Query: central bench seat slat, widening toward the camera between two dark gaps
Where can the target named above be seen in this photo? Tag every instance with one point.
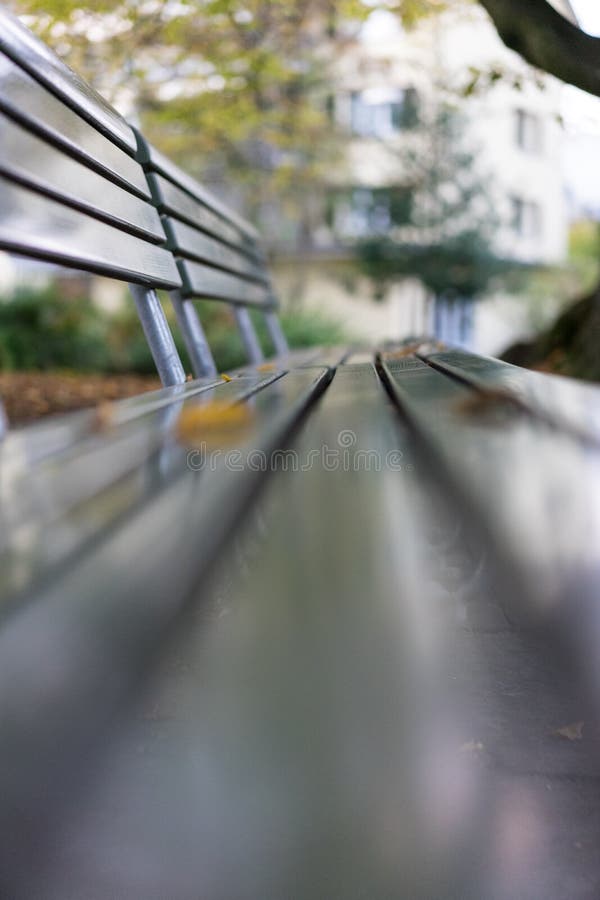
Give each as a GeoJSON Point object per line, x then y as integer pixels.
{"type": "Point", "coordinates": [340, 671]}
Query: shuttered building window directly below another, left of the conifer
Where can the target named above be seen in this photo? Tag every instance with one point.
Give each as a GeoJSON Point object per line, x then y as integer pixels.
{"type": "Point", "coordinates": [369, 212]}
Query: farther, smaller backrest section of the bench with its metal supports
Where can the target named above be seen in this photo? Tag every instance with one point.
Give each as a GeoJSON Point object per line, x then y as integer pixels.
{"type": "Point", "coordinates": [218, 253]}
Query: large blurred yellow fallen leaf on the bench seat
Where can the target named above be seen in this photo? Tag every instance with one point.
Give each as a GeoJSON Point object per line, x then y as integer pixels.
{"type": "Point", "coordinates": [212, 423]}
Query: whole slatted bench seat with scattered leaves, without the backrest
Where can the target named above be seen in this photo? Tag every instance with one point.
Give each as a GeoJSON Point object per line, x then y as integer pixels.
{"type": "Point", "coordinates": [364, 613]}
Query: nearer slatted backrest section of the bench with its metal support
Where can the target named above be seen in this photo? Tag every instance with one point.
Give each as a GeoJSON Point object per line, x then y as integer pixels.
{"type": "Point", "coordinates": [71, 189]}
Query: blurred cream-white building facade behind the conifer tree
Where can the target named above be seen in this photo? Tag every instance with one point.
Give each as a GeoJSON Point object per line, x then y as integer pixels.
{"type": "Point", "coordinates": [512, 123]}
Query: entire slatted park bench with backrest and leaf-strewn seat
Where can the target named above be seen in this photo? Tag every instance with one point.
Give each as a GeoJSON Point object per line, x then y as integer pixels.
{"type": "Point", "coordinates": [325, 628]}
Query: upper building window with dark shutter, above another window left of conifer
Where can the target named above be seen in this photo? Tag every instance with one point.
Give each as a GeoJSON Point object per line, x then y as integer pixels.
{"type": "Point", "coordinates": [383, 112]}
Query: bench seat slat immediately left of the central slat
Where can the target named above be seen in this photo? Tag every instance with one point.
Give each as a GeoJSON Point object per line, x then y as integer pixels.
{"type": "Point", "coordinates": [98, 627]}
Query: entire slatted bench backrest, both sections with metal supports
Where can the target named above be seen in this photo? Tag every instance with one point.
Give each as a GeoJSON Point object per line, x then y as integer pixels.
{"type": "Point", "coordinates": [80, 188]}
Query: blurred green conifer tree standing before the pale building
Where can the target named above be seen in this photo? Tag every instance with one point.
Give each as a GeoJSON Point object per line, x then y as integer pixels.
{"type": "Point", "coordinates": [446, 239]}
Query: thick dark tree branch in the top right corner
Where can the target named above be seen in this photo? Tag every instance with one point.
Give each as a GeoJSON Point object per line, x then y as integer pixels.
{"type": "Point", "coordinates": [547, 40]}
